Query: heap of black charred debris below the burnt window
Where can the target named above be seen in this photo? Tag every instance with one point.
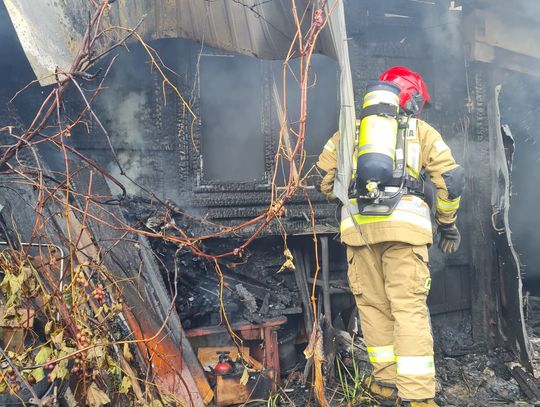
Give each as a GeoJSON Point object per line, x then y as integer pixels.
{"type": "Point", "coordinates": [253, 290]}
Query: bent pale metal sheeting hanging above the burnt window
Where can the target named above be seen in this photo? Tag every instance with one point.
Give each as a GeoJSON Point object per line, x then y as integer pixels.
{"type": "Point", "coordinates": [252, 27]}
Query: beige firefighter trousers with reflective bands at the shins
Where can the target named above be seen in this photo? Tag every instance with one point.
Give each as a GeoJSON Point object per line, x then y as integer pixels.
{"type": "Point", "coordinates": [390, 282]}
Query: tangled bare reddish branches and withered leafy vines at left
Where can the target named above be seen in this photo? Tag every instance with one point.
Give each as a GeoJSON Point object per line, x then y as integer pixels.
{"type": "Point", "coordinates": [74, 292]}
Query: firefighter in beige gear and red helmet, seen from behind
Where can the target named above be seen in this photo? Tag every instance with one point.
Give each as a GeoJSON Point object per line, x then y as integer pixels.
{"type": "Point", "coordinates": [387, 230]}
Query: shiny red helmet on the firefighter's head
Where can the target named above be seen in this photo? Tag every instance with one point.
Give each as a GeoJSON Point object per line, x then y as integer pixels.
{"type": "Point", "coordinates": [414, 94]}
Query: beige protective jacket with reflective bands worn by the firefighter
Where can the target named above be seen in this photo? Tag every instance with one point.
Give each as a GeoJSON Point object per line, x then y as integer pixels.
{"type": "Point", "coordinates": [410, 221]}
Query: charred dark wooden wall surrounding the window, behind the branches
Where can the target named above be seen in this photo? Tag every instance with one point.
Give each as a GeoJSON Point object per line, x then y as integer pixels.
{"type": "Point", "coordinates": [162, 146]}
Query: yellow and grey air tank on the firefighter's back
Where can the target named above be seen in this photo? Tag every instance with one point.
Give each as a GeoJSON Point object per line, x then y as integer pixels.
{"type": "Point", "coordinates": [378, 133]}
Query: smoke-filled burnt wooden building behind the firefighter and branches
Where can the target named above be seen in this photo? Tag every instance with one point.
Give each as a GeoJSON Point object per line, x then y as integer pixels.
{"type": "Point", "coordinates": [205, 152]}
